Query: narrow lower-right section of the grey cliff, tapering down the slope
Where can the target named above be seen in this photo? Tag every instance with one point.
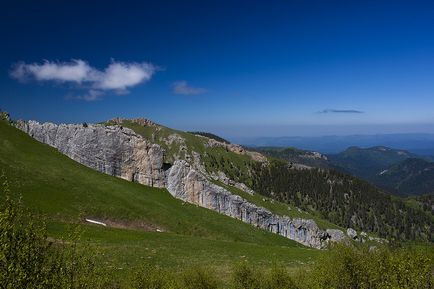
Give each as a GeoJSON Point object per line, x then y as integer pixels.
{"type": "Point", "coordinates": [187, 184]}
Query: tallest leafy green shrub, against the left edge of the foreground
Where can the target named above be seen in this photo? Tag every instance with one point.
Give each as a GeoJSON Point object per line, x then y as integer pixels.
{"type": "Point", "coordinates": [24, 253]}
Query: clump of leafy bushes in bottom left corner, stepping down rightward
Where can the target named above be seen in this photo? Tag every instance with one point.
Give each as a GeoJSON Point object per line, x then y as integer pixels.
{"type": "Point", "coordinates": [29, 260]}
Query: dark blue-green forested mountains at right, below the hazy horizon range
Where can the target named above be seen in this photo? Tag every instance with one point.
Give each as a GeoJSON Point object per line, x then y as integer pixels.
{"type": "Point", "coordinates": [397, 171]}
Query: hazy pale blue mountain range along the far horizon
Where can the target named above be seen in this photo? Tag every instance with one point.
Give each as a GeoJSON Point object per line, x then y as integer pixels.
{"type": "Point", "coordinates": [420, 144]}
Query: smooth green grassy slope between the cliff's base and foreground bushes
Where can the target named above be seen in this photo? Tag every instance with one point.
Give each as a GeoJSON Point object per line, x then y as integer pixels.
{"type": "Point", "coordinates": [66, 191]}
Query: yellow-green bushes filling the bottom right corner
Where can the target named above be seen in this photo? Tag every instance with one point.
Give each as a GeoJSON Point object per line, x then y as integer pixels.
{"type": "Point", "coordinates": [364, 267]}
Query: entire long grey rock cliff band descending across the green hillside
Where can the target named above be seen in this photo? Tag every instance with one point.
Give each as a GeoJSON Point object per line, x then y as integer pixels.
{"type": "Point", "coordinates": [121, 152]}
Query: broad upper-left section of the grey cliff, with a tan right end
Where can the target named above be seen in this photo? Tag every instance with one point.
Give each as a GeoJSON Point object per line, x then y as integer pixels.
{"type": "Point", "coordinates": [113, 150]}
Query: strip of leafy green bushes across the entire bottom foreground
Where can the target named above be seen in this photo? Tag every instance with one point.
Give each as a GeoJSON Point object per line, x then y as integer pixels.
{"type": "Point", "coordinates": [28, 259]}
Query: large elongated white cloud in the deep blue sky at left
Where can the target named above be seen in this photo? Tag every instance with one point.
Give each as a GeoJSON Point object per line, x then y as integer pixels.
{"type": "Point", "coordinates": [117, 77]}
